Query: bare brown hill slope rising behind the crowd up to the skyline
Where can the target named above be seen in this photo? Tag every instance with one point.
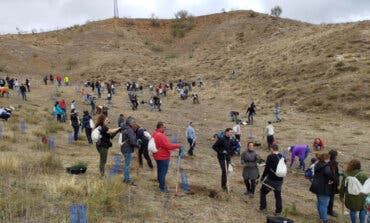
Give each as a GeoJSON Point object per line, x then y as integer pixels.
{"type": "Point", "coordinates": [324, 67]}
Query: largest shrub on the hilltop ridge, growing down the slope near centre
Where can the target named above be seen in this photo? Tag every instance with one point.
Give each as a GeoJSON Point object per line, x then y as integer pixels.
{"type": "Point", "coordinates": [183, 23]}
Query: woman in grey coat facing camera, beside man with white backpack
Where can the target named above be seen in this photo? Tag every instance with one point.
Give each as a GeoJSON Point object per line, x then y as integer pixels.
{"type": "Point", "coordinates": [249, 160]}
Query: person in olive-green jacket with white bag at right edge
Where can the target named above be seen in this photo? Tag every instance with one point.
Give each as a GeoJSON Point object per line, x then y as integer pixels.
{"type": "Point", "coordinates": [354, 203]}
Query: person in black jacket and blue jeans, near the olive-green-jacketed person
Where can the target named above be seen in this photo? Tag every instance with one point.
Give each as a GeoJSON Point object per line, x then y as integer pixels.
{"type": "Point", "coordinates": [322, 185]}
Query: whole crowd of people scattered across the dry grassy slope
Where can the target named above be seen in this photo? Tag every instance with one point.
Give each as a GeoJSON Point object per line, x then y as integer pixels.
{"type": "Point", "coordinates": [325, 176]}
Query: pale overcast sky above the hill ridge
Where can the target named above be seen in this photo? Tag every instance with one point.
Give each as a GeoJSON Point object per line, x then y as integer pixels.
{"type": "Point", "coordinates": [52, 14]}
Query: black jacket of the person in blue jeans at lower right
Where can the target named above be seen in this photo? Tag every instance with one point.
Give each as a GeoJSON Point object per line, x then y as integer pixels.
{"type": "Point", "coordinates": [322, 183]}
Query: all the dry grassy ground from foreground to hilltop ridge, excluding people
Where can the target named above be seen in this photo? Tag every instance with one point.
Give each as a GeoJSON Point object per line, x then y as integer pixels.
{"type": "Point", "coordinates": [319, 74]}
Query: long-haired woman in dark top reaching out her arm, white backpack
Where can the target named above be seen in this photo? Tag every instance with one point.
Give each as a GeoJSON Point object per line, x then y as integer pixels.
{"type": "Point", "coordinates": [104, 143]}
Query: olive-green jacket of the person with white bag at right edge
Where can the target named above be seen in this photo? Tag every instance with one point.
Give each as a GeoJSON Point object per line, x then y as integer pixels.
{"type": "Point", "coordinates": [353, 202]}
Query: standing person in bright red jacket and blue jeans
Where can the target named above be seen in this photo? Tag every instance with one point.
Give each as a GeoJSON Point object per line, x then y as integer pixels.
{"type": "Point", "coordinates": [162, 157]}
